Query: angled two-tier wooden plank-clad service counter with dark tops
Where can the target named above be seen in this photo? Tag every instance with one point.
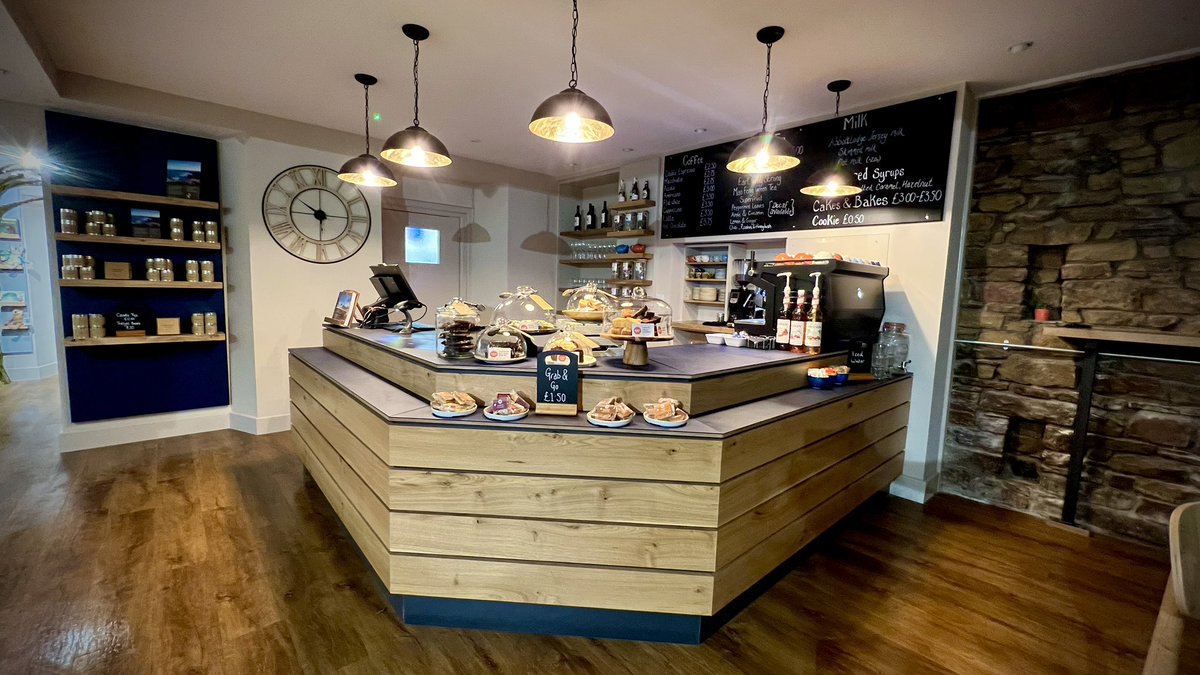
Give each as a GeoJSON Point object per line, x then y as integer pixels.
{"type": "Point", "coordinates": [550, 524]}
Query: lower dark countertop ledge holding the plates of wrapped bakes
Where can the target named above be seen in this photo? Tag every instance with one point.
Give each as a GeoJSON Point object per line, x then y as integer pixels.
{"type": "Point", "coordinates": [400, 408]}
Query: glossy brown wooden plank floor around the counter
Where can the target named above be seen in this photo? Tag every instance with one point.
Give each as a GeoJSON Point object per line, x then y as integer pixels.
{"type": "Point", "coordinates": [211, 554]}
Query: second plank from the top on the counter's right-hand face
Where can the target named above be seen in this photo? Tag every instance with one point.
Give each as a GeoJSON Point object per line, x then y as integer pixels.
{"type": "Point", "coordinates": [755, 487]}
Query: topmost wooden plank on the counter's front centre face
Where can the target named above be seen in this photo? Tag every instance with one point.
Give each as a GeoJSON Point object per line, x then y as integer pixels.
{"type": "Point", "coordinates": [595, 455]}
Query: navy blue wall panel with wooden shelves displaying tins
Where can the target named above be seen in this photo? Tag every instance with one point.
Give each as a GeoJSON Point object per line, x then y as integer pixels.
{"type": "Point", "coordinates": [121, 169]}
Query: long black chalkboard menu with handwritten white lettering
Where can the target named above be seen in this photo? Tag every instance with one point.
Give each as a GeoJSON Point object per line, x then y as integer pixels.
{"type": "Point", "coordinates": [899, 156]}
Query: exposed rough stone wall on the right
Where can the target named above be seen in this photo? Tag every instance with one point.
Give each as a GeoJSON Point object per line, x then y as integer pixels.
{"type": "Point", "coordinates": [1087, 201]}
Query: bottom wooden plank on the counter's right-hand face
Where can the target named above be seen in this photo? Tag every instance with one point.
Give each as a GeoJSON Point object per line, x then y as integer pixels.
{"type": "Point", "coordinates": [742, 574]}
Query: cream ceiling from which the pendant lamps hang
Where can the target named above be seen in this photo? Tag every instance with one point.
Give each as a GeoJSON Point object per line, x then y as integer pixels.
{"type": "Point", "coordinates": [673, 74]}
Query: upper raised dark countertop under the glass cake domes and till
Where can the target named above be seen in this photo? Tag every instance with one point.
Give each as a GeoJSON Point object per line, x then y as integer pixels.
{"type": "Point", "coordinates": [673, 362]}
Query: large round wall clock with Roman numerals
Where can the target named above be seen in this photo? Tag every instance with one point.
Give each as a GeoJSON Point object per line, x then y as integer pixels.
{"type": "Point", "coordinates": [316, 217]}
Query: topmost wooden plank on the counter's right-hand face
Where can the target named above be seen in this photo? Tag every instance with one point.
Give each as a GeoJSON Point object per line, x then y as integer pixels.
{"type": "Point", "coordinates": [765, 444]}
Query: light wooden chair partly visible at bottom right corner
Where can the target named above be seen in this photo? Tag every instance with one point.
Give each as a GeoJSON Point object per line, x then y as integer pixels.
{"type": "Point", "coordinates": [1183, 595]}
